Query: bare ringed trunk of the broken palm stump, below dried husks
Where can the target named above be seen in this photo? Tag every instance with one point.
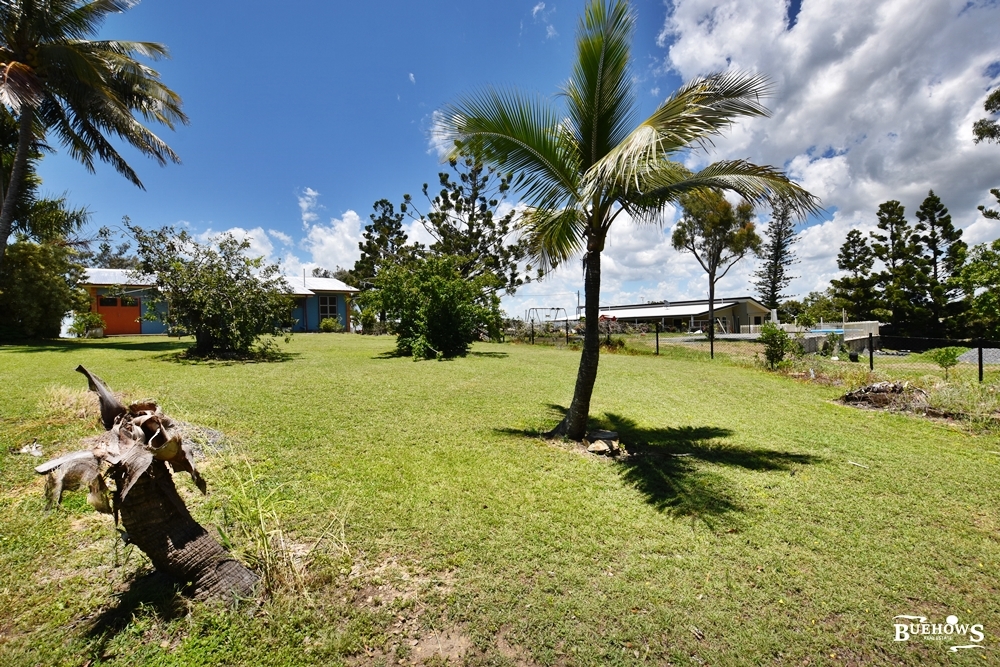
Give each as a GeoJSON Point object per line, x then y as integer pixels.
{"type": "Point", "coordinates": [158, 522]}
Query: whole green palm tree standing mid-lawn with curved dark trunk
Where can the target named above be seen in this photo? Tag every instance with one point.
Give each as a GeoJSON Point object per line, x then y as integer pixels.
{"type": "Point", "coordinates": [581, 167]}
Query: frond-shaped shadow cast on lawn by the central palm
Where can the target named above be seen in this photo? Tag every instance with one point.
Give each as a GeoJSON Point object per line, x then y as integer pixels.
{"type": "Point", "coordinates": [663, 464]}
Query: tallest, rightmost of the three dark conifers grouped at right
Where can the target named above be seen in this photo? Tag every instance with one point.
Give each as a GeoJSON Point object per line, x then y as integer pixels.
{"type": "Point", "coordinates": [944, 254]}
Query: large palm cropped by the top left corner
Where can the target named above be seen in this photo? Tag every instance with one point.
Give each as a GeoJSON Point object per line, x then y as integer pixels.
{"type": "Point", "coordinates": [53, 78]}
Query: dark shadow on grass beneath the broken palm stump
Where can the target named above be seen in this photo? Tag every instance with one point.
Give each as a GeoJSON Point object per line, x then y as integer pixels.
{"type": "Point", "coordinates": [152, 594]}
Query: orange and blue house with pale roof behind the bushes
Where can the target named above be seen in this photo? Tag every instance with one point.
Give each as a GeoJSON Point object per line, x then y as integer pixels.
{"type": "Point", "coordinates": [119, 297]}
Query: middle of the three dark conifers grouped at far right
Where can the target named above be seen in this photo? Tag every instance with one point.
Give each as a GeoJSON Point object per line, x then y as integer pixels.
{"type": "Point", "coordinates": [904, 282]}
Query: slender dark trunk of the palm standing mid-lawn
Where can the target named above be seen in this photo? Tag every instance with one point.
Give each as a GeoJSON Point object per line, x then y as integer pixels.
{"type": "Point", "coordinates": [574, 426]}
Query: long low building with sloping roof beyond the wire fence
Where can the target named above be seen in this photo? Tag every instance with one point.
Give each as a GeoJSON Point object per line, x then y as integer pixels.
{"type": "Point", "coordinates": [692, 315]}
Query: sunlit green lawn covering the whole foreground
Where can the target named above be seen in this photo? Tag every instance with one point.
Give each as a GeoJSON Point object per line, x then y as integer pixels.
{"type": "Point", "coordinates": [745, 535]}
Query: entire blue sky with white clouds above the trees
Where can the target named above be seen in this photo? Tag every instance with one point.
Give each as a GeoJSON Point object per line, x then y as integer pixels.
{"type": "Point", "coordinates": [305, 113]}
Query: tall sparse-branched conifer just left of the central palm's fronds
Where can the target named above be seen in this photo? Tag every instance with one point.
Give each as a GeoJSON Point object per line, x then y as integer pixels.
{"type": "Point", "coordinates": [465, 221]}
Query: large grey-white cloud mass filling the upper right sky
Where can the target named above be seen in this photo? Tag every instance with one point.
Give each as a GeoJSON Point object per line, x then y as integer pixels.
{"type": "Point", "coordinates": [868, 105]}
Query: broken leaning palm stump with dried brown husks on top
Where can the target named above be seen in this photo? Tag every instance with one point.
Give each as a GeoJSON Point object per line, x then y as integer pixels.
{"type": "Point", "coordinates": [140, 444]}
